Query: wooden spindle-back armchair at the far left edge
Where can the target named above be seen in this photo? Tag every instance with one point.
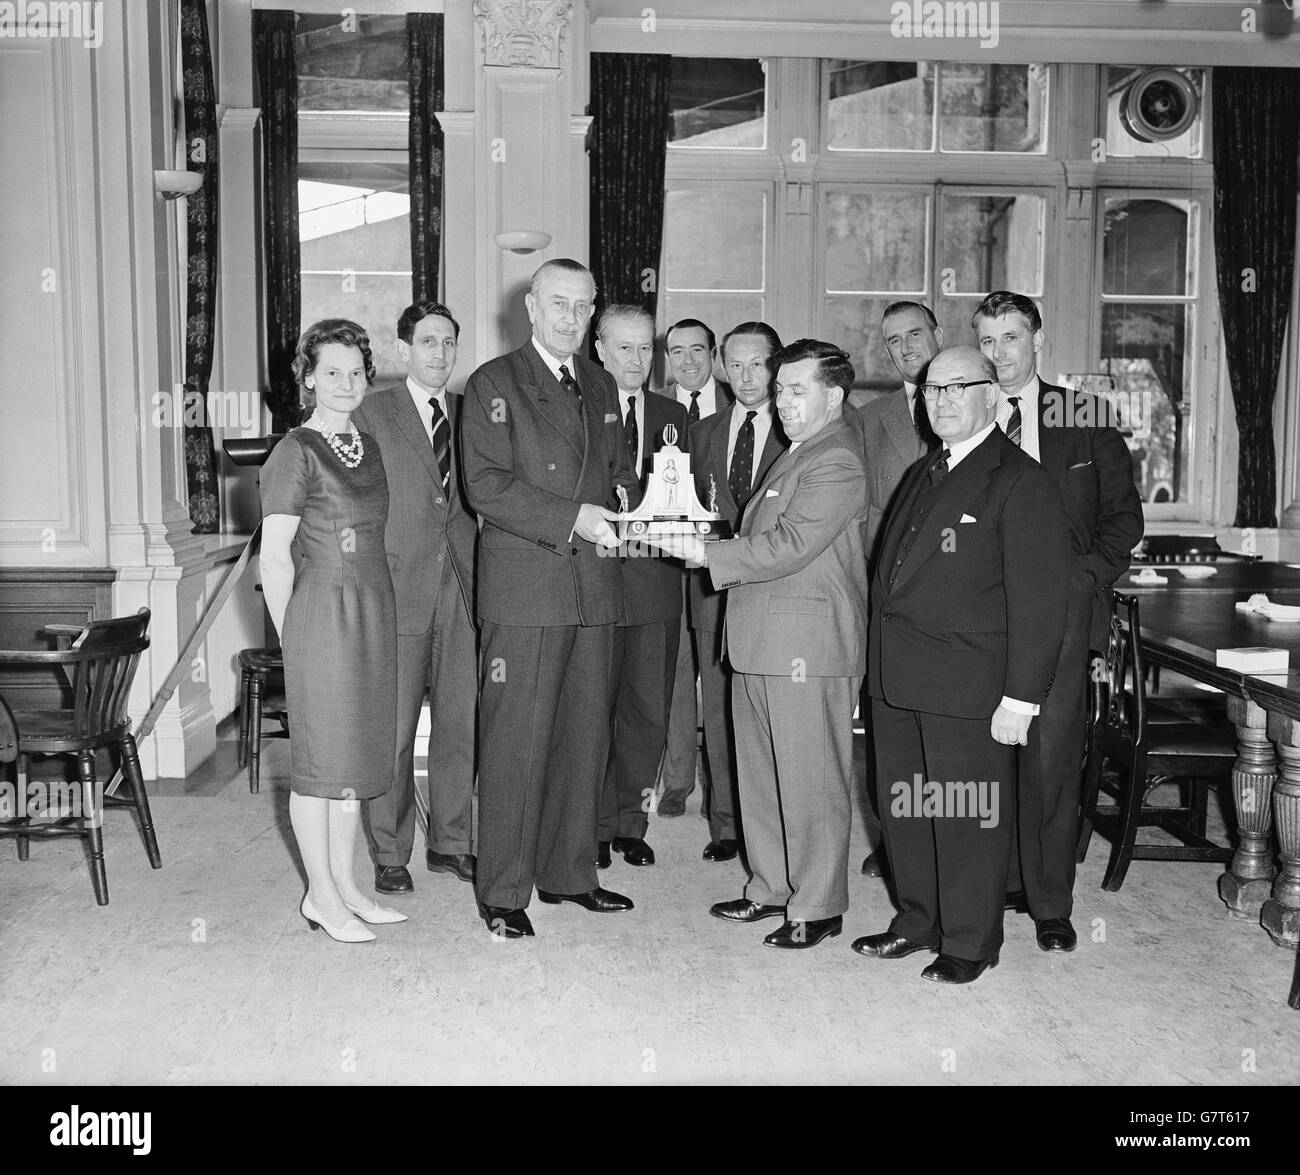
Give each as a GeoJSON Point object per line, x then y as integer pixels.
{"type": "Point", "coordinates": [101, 667]}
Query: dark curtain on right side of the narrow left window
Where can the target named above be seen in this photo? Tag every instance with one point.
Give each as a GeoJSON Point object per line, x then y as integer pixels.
{"type": "Point", "coordinates": [424, 68]}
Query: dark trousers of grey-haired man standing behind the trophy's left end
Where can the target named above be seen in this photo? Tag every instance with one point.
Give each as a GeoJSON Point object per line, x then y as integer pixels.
{"type": "Point", "coordinates": [644, 669]}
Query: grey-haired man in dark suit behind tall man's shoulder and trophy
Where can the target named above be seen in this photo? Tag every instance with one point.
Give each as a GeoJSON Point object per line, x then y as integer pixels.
{"type": "Point", "coordinates": [645, 645]}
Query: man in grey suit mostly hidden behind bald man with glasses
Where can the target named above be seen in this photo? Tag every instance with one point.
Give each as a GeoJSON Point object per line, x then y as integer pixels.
{"type": "Point", "coordinates": [895, 433]}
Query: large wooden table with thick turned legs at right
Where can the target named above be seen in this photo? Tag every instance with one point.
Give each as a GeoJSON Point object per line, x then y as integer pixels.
{"type": "Point", "coordinates": [1184, 623]}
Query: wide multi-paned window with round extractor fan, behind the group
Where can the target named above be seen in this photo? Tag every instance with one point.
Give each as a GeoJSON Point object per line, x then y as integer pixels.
{"type": "Point", "coordinates": [813, 194]}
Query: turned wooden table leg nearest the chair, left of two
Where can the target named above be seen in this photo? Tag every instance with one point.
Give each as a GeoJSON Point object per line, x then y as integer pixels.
{"type": "Point", "coordinates": [1246, 884]}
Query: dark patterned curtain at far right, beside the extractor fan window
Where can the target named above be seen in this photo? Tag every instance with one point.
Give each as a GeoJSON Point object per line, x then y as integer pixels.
{"type": "Point", "coordinates": [1256, 146]}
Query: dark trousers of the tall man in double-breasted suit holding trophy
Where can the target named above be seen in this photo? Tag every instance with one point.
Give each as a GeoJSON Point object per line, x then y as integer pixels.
{"type": "Point", "coordinates": [544, 739]}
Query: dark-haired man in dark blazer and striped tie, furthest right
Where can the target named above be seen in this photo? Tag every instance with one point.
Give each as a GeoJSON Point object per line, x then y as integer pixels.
{"type": "Point", "coordinates": [1073, 437]}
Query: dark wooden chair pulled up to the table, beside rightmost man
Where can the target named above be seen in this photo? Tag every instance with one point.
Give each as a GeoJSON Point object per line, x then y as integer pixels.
{"type": "Point", "coordinates": [1146, 755]}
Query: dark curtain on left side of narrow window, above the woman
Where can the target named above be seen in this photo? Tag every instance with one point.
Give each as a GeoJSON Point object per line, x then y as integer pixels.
{"type": "Point", "coordinates": [278, 77]}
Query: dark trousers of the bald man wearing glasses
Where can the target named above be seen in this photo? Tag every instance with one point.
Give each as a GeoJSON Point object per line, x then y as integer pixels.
{"type": "Point", "coordinates": [950, 873]}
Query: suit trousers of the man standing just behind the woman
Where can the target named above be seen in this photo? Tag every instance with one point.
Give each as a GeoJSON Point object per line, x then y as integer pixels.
{"type": "Point", "coordinates": [443, 660]}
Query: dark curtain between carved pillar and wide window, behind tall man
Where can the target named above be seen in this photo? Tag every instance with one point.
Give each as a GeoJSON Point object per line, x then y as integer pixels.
{"type": "Point", "coordinates": [629, 146]}
